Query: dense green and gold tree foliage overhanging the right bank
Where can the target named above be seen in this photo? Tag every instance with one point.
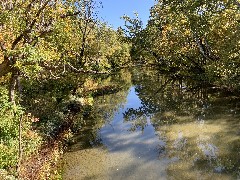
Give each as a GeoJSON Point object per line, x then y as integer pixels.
{"type": "Point", "coordinates": [192, 37]}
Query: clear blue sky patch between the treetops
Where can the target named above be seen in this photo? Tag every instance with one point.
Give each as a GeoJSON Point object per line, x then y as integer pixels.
{"type": "Point", "coordinates": [113, 9]}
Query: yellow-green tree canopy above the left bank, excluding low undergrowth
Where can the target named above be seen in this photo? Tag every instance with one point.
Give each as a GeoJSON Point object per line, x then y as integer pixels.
{"type": "Point", "coordinates": [49, 35]}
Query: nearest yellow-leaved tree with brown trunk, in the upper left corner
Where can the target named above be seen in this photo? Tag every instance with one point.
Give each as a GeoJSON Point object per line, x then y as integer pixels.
{"type": "Point", "coordinates": [25, 29]}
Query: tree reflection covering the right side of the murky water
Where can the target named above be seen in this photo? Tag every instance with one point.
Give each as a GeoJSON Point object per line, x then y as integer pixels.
{"type": "Point", "coordinates": [199, 125]}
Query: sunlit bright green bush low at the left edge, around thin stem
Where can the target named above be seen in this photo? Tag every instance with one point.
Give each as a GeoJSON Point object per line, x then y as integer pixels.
{"type": "Point", "coordinates": [9, 133]}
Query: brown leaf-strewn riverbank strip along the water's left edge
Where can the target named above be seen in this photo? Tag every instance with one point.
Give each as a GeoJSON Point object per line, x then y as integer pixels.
{"type": "Point", "coordinates": [45, 163]}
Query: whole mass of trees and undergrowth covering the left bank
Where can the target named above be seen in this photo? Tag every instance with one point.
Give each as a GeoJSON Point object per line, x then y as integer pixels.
{"type": "Point", "coordinates": [44, 45]}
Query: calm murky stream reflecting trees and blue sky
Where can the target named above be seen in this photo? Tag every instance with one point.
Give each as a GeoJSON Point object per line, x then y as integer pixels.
{"type": "Point", "coordinates": [155, 128]}
